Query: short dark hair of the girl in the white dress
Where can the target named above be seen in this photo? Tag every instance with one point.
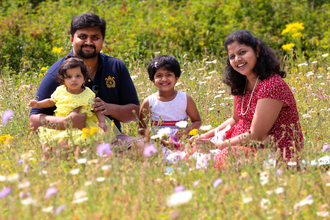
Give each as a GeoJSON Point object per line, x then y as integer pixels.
{"type": "Point", "coordinates": [169, 63]}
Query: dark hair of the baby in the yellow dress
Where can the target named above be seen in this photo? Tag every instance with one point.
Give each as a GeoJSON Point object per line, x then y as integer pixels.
{"type": "Point", "coordinates": [69, 63]}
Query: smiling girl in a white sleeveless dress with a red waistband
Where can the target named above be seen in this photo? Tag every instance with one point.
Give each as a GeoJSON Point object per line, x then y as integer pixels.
{"type": "Point", "coordinates": [168, 106]}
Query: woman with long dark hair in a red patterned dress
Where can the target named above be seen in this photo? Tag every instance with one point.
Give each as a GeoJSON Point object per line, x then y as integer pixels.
{"type": "Point", "coordinates": [264, 107]}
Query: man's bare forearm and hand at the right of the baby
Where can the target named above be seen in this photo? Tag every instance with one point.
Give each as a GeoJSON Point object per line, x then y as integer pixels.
{"type": "Point", "coordinates": [124, 113]}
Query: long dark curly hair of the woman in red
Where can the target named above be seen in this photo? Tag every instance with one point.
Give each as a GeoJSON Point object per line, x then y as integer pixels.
{"type": "Point", "coordinates": [267, 62]}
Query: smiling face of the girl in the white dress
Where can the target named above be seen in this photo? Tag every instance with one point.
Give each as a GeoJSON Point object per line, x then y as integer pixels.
{"type": "Point", "coordinates": [164, 80]}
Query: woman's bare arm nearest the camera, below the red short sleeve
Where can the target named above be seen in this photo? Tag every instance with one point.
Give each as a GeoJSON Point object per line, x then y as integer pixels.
{"type": "Point", "coordinates": [267, 111]}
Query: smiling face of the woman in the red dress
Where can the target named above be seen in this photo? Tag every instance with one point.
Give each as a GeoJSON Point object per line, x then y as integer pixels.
{"type": "Point", "coordinates": [242, 58]}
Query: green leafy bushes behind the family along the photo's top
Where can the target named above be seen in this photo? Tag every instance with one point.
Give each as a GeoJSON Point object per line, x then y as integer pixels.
{"type": "Point", "coordinates": [137, 29]}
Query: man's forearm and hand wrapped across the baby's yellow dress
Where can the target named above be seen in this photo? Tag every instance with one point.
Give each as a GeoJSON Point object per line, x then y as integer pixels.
{"type": "Point", "coordinates": [61, 123]}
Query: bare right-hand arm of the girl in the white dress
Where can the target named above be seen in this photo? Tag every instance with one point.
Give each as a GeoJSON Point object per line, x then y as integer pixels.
{"type": "Point", "coordinates": [193, 114]}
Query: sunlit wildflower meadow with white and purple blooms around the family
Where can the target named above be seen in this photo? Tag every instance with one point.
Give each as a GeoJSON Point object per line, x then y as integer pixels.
{"type": "Point", "coordinates": [120, 187]}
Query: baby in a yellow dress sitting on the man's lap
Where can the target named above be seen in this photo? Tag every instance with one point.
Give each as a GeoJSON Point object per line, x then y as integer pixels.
{"type": "Point", "coordinates": [72, 94]}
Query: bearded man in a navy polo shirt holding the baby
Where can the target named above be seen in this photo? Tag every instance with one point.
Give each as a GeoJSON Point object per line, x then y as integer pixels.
{"type": "Point", "coordinates": [116, 96]}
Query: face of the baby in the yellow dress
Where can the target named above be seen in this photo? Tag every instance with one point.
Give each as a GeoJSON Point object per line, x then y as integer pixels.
{"type": "Point", "coordinates": [74, 80]}
